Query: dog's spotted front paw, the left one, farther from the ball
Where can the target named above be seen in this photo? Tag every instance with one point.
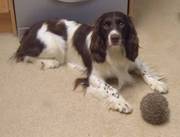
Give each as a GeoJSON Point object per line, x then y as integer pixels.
{"type": "Point", "coordinates": [121, 105]}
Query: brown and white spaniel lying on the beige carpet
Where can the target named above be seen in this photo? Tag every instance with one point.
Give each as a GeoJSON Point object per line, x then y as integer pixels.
{"type": "Point", "coordinates": [107, 49]}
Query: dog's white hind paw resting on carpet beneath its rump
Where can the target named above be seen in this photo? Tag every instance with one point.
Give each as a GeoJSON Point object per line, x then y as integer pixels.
{"type": "Point", "coordinates": [49, 64]}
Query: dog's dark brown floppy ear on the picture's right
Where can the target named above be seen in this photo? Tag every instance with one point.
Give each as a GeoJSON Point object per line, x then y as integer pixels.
{"type": "Point", "coordinates": [131, 41]}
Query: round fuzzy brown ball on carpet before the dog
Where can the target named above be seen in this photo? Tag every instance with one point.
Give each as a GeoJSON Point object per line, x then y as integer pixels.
{"type": "Point", "coordinates": [154, 108]}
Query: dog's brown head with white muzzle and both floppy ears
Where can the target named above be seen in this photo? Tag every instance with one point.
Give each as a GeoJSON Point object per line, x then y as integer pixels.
{"type": "Point", "coordinates": [114, 29]}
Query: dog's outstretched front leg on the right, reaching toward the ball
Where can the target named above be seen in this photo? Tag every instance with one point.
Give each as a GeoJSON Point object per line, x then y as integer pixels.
{"type": "Point", "coordinates": [153, 80]}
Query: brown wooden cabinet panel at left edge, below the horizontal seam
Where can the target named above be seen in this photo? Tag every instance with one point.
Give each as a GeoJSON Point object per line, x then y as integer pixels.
{"type": "Point", "coordinates": [5, 22]}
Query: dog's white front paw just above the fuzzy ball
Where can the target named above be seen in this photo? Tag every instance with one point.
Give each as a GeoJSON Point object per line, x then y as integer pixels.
{"type": "Point", "coordinates": [159, 86]}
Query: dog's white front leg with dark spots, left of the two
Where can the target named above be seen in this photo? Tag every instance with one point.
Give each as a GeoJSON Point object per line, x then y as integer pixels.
{"type": "Point", "coordinates": [110, 95]}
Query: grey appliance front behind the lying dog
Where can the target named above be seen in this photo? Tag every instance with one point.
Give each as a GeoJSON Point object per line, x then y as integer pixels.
{"type": "Point", "coordinates": [32, 11]}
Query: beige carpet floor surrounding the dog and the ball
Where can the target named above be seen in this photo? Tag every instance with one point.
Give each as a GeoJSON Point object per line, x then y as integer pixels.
{"type": "Point", "coordinates": [35, 103]}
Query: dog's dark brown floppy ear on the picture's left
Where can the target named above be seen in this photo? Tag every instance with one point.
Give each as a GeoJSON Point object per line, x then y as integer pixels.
{"type": "Point", "coordinates": [98, 47]}
